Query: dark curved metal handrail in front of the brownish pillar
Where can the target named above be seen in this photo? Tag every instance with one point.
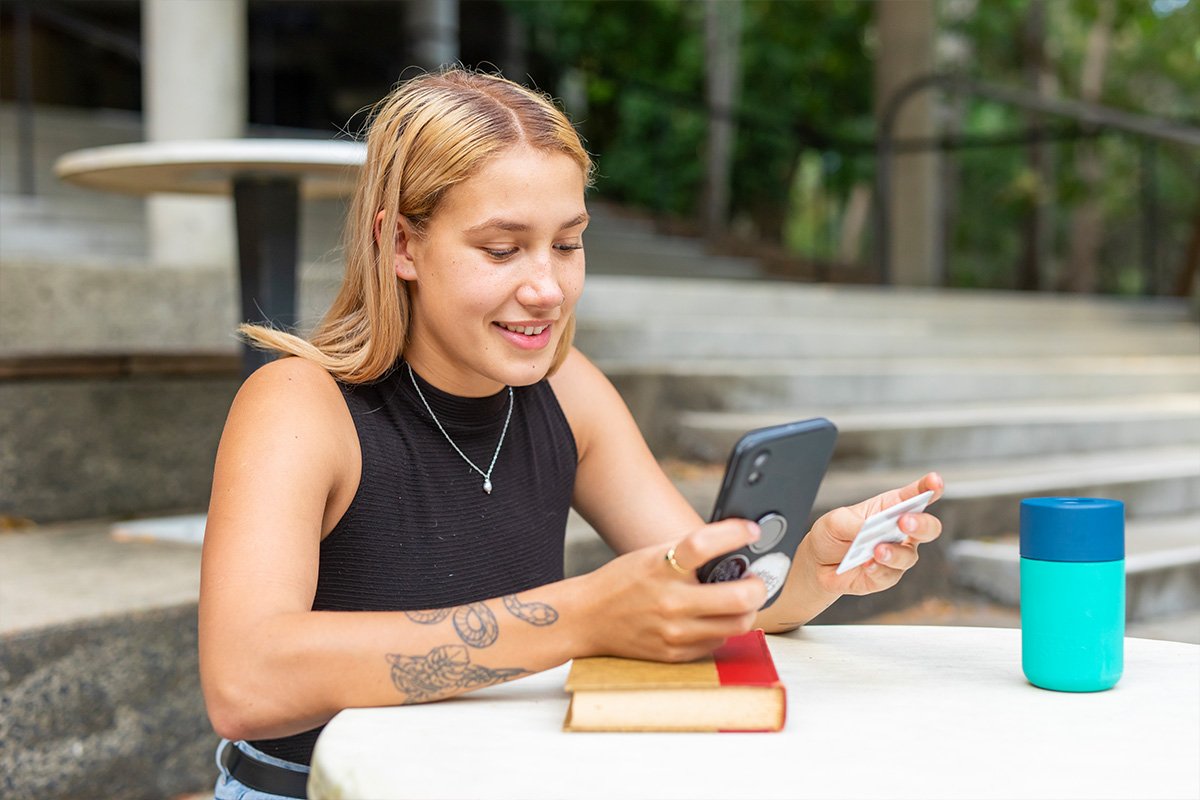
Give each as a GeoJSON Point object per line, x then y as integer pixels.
{"type": "Point", "coordinates": [1088, 113]}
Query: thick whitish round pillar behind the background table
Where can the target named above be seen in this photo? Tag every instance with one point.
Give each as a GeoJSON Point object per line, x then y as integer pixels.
{"type": "Point", "coordinates": [194, 87]}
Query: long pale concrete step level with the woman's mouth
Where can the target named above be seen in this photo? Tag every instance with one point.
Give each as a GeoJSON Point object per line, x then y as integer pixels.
{"type": "Point", "coordinates": [775, 338]}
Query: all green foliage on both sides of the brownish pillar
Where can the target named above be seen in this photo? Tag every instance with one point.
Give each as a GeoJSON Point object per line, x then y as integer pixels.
{"type": "Point", "coordinates": [806, 119]}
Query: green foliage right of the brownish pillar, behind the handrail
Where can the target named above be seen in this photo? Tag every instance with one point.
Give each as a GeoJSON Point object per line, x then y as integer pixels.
{"type": "Point", "coordinates": [1153, 69]}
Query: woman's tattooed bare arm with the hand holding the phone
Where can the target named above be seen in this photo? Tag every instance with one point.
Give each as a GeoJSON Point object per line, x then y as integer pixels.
{"type": "Point", "coordinates": [287, 468]}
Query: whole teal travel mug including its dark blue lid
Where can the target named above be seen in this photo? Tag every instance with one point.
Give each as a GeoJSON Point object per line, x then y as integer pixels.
{"type": "Point", "coordinates": [1073, 593]}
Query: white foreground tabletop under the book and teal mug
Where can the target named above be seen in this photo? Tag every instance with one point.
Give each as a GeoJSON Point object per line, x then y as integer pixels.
{"type": "Point", "coordinates": [874, 712]}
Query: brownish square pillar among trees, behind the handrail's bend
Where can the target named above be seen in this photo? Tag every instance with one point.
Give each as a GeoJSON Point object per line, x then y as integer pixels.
{"type": "Point", "coordinates": [907, 31]}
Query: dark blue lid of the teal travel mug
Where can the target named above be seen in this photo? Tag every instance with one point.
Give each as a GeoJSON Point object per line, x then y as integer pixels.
{"type": "Point", "coordinates": [1072, 530]}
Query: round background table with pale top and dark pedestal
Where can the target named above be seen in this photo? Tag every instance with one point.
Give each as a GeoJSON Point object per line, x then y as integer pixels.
{"type": "Point", "coordinates": [267, 179]}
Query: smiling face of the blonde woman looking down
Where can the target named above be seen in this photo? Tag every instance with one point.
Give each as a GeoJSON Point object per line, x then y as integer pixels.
{"type": "Point", "coordinates": [497, 274]}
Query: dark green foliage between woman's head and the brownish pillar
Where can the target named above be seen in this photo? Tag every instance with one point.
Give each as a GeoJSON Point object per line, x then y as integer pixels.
{"type": "Point", "coordinates": [805, 75]}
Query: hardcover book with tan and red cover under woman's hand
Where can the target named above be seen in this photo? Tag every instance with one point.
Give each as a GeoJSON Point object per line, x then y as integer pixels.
{"type": "Point", "coordinates": [735, 689]}
